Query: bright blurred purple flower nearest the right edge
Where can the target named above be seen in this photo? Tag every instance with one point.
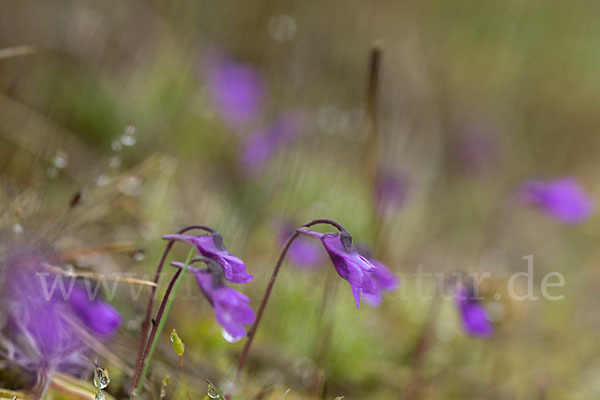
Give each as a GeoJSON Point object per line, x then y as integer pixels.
{"type": "Point", "coordinates": [562, 198]}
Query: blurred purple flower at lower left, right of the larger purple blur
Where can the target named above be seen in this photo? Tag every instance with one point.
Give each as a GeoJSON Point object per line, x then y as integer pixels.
{"type": "Point", "coordinates": [100, 317]}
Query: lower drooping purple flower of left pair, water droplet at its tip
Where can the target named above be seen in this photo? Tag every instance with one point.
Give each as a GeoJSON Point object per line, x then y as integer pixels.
{"type": "Point", "coordinates": [232, 309]}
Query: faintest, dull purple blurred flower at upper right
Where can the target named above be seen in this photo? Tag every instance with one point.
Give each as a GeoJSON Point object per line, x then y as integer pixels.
{"type": "Point", "coordinates": [475, 148]}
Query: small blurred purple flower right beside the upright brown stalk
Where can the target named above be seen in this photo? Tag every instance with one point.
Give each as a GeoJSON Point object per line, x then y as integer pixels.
{"type": "Point", "coordinates": [390, 191]}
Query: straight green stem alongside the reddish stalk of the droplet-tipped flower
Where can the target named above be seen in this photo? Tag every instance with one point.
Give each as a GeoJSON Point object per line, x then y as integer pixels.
{"type": "Point", "coordinates": [159, 323]}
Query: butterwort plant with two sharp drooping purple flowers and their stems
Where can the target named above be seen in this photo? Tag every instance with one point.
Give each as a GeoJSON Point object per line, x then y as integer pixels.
{"type": "Point", "coordinates": [231, 307]}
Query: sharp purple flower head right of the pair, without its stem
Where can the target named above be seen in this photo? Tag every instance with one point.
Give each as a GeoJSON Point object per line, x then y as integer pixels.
{"type": "Point", "coordinates": [350, 265]}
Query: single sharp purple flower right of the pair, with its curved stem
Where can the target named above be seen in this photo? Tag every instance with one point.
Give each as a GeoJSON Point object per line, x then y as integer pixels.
{"type": "Point", "coordinates": [348, 263]}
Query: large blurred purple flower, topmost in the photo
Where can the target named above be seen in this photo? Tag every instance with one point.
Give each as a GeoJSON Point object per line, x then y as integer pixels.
{"type": "Point", "coordinates": [236, 90]}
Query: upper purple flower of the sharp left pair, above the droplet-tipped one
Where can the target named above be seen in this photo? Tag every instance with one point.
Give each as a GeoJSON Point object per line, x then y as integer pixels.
{"type": "Point", "coordinates": [212, 246]}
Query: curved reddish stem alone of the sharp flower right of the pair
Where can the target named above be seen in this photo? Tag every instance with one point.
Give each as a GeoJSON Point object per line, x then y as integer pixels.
{"type": "Point", "coordinates": [265, 298]}
